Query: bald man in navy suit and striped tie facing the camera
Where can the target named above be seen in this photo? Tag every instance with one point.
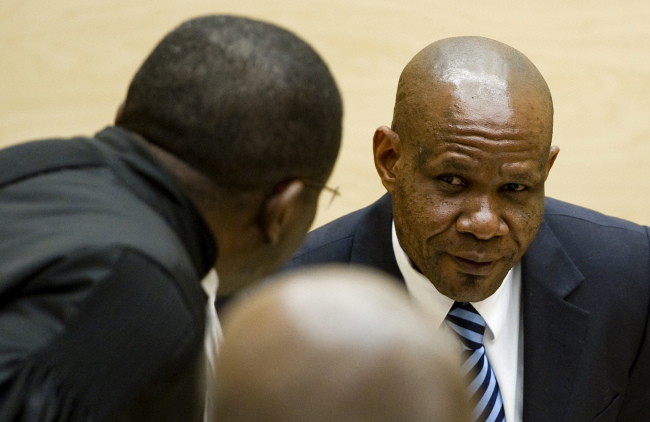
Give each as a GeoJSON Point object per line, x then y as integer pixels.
{"type": "Point", "coordinates": [562, 292]}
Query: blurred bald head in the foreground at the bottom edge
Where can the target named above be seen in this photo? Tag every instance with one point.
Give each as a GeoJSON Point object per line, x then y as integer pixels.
{"type": "Point", "coordinates": [335, 344]}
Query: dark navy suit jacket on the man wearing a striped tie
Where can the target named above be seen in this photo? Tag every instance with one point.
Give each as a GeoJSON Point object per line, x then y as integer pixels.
{"type": "Point", "coordinates": [585, 299]}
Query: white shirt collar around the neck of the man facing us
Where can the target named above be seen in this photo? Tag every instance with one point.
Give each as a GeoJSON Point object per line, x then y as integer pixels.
{"type": "Point", "coordinates": [494, 309]}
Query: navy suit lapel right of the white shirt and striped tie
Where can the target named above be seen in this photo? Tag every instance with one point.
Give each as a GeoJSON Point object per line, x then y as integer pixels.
{"type": "Point", "coordinates": [554, 329]}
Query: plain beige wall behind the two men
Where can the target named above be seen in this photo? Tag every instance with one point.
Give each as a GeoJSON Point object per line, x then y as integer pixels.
{"type": "Point", "coordinates": [65, 66]}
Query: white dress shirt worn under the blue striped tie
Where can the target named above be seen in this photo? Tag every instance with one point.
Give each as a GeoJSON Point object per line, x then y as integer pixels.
{"type": "Point", "coordinates": [504, 333]}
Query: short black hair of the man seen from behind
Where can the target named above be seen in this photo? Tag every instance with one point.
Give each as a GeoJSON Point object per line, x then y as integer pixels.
{"type": "Point", "coordinates": [245, 102]}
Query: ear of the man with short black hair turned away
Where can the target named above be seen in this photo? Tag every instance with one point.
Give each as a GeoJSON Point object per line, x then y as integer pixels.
{"type": "Point", "coordinates": [279, 209]}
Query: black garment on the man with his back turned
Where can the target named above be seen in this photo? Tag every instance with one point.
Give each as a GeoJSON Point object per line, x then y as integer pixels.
{"type": "Point", "coordinates": [101, 308]}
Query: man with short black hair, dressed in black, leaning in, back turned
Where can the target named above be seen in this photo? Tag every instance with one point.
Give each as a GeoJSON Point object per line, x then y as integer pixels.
{"type": "Point", "coordinates": [228, 132]}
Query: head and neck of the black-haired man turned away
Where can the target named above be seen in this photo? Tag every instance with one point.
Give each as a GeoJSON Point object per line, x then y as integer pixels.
{"type": "Point", "coordinates": [248, 116]}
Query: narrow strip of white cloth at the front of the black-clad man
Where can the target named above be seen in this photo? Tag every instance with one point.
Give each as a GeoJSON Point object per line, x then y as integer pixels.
{"type": "Point", "coordinates": [213, 336]}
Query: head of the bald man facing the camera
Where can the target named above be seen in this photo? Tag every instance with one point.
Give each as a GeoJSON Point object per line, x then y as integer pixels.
{"type": "Point", "coordinates": [466, 160]}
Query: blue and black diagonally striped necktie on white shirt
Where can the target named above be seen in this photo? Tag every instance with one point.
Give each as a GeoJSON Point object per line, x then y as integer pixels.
{"type": "Point", "coordinates": [483, 388]}
